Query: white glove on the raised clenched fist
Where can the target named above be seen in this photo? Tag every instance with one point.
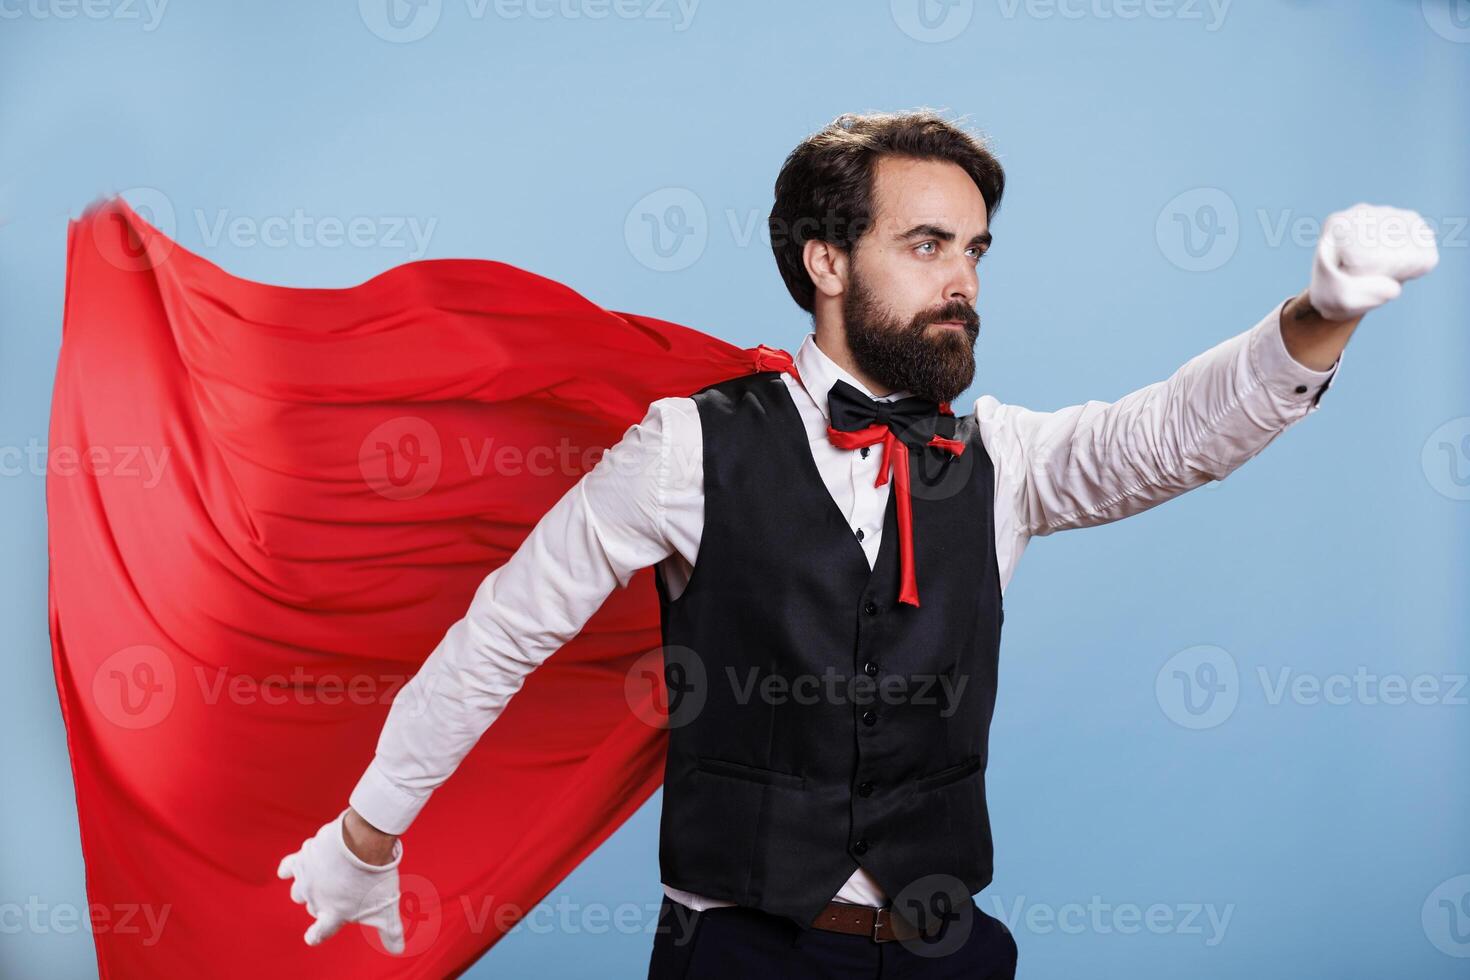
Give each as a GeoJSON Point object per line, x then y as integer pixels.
{"type": "Point", "coordinates": [1363, 258]}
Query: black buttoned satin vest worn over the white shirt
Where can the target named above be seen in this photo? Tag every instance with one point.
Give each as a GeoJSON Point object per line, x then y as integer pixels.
{"type": "Point", "coordinates": [815, 724]}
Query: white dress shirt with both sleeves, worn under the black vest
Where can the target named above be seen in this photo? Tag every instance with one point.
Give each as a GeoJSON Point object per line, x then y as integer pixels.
{"type": "Point", "coordinates": [643, 505]}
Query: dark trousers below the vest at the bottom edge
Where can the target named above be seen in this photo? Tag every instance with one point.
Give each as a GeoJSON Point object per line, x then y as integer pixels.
{"type": "Point", "coordinates": [736, 943]}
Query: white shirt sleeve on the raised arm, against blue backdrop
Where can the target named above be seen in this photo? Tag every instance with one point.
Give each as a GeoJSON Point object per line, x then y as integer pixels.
{"type": "Point", "coordinates": [1099, 462]}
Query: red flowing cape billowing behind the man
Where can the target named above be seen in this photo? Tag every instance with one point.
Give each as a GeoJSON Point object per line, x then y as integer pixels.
{"type": "Point", "coordinates": [265, 508]}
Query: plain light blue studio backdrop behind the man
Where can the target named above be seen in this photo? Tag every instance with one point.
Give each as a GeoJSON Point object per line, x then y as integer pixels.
{"type": "Point", "coordinates": [1321, 829]}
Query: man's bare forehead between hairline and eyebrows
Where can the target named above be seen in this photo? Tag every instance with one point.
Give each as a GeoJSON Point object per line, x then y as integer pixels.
{"type": "Point", "coordinates": [909, 193]}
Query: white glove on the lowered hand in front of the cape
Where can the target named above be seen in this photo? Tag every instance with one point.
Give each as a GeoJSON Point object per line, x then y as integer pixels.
{"type": "Point", "coordinates": [339, 888]}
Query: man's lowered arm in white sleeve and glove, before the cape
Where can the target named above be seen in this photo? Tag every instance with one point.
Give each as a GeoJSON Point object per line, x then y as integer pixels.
{"type": "Point", "coordinates": [605, 528]}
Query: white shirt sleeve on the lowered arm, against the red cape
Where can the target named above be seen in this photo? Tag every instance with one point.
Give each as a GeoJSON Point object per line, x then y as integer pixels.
{"type": "Point", "coordinates": [596, 537]}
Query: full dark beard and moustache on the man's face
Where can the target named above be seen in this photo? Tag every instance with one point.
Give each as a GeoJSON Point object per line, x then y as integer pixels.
{"type": "Point", "coordinates": [934, 364]}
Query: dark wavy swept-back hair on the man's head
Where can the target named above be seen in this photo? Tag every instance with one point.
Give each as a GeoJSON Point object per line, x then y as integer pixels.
{"type": "Point", "coordinates": [825, 187]}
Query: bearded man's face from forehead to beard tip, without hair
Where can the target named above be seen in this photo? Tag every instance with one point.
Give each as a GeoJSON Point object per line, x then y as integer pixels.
{"type": "Point", "coordinates": [909, 308]}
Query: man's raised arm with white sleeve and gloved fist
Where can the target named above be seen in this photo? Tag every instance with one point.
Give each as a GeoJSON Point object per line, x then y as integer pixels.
{"type": "Point", "coordinates": [1100, 462]}
